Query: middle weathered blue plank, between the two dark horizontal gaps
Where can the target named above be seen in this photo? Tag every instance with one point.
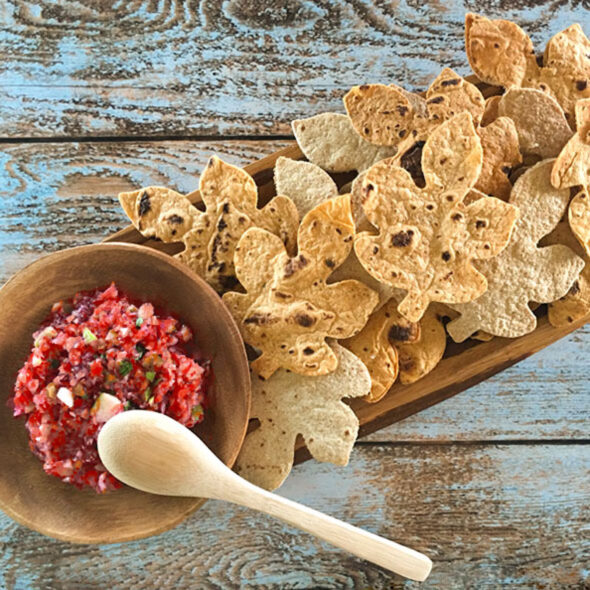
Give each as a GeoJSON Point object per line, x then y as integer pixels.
{"type": "Point", "coordinates": [60, 195]}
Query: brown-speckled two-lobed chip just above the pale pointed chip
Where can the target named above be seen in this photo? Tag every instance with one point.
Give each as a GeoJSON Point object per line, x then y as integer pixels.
{"type": "Point", "coordinates": [390, 116]}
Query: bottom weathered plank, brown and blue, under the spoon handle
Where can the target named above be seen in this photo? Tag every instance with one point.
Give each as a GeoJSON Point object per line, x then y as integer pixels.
{"type": "Point", "coordinates": [478, 511]}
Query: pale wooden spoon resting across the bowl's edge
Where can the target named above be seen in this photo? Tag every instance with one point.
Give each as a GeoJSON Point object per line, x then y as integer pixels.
{"type": "Point", "coordinates": [154, 453]}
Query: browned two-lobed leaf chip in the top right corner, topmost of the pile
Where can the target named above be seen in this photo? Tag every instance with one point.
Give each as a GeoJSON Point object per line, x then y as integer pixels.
{"type": "Point", "coordinates": [502, 54]}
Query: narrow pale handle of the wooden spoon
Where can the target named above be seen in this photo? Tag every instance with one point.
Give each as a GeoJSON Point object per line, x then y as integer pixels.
{"type": "Point", "coordinates": [392, 556]}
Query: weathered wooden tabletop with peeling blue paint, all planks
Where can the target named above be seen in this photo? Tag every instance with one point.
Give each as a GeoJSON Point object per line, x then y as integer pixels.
{"type": "Point", "coordinates": [101, 96]}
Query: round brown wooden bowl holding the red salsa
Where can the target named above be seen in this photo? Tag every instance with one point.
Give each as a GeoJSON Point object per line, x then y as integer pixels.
{"type": "Point", "coordinates": [43, 502]}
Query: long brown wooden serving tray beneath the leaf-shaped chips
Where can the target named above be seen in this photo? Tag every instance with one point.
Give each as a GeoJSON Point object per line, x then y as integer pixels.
{"type": "Point", "coordinates": [462, 366]}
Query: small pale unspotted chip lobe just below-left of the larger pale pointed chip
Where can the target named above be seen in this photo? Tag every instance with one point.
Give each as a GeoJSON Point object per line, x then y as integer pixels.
{"type": "Point", "coordinates": [306, 184]}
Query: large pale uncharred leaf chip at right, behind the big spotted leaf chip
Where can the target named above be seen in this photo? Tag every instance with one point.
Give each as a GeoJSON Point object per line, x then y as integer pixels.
{"type": "Point", "coordinates": [523, 272]}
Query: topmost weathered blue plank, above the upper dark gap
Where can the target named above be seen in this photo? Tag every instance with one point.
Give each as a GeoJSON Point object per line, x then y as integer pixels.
{"type": "Point", "coordinates": [238, 67]}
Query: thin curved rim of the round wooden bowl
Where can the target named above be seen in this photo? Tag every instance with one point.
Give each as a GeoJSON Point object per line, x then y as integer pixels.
{"type": "Point", "coordinates": [31, 268]}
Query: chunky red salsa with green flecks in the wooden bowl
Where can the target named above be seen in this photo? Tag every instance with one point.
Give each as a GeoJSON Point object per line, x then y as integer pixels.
{"type": "Point", "coordinates": [95, 356]}
